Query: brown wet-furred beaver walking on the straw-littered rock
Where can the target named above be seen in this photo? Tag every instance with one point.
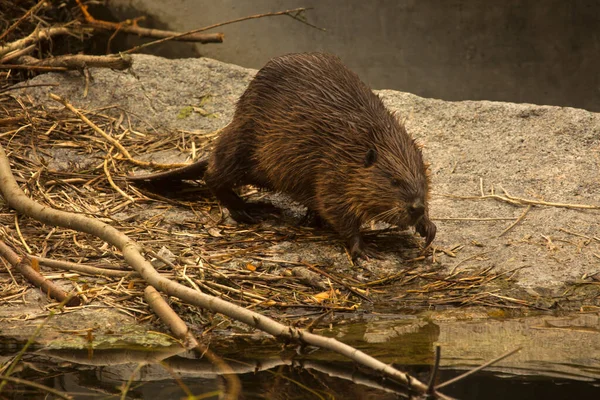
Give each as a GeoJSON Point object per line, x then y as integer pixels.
{"type": "Point", "coordinates": [307, 126]}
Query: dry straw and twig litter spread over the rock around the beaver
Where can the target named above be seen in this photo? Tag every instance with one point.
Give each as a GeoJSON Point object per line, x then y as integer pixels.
{"type": "Point", "coordinates": [61, 162]}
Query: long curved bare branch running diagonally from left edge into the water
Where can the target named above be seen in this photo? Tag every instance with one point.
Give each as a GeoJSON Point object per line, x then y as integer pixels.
{"type": "Point", "coordinates": [132, 253]}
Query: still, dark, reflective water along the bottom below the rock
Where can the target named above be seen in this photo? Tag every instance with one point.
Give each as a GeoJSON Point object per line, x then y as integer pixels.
{"type": "Point", "coordinates": [548, 367]}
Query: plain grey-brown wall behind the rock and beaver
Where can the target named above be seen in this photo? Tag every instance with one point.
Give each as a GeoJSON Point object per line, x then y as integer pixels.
{"type": "Point", "coordinates": [543, 52]}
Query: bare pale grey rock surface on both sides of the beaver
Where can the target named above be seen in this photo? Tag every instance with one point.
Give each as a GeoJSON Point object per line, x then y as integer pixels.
{"type": "Point", "coordinates": [536, 152]}
